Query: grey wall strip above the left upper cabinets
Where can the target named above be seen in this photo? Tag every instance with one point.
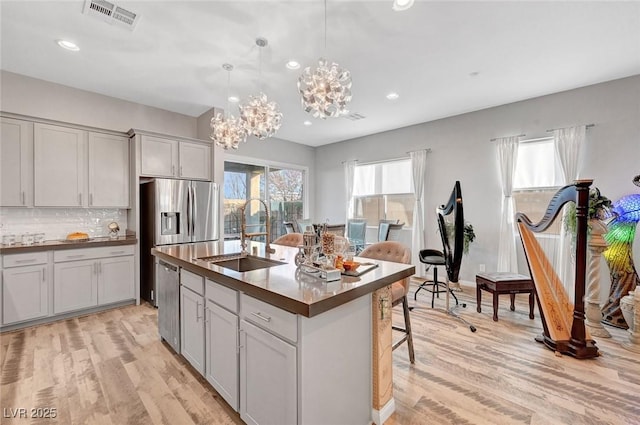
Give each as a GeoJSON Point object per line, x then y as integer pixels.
{"type": "Point", "coordinates": [42, 99]}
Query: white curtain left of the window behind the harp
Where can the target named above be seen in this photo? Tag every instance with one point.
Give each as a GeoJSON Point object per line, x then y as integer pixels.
{"type": "Point", "coordinates": [507, 150]}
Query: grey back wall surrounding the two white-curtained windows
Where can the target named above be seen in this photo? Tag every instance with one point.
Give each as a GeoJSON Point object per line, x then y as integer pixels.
{"type": "Point", "coordinates": [461, 150]}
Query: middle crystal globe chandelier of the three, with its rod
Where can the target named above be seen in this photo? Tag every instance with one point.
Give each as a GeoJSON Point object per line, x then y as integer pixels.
{"type": "Point", "coordinates": [260, 117]}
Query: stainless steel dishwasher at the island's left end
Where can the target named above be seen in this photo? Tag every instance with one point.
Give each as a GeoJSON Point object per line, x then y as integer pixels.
{"type": "Point", "coordinates": [168, 287]}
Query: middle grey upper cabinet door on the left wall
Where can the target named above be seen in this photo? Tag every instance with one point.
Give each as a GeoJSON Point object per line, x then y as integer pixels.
{"type": "Point", "coordinates": [59, 166]}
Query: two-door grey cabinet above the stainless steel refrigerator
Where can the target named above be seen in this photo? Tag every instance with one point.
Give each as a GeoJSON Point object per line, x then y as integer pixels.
{"type": "Point", "coordinates": [173, 158]}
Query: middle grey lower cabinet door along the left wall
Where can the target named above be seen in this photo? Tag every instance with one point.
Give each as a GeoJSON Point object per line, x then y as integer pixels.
{"type": "Point", "coordinates": [75, 285]}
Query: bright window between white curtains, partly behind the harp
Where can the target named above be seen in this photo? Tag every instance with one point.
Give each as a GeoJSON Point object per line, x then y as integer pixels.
{"type": "Point", "coordinates": [537, 178]}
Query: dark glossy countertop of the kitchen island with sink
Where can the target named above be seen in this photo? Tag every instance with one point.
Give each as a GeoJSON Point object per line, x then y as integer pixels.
{"type": "Point", "coordinates": [280, 285]}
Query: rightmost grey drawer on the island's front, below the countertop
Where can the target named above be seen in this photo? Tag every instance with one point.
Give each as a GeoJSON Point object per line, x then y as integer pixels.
{"type": "Point", "coordinates": [268, 317]}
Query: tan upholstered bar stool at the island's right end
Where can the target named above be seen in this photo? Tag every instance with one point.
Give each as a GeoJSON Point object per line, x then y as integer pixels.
{"type": "Point", "coordinates": [397, 253]}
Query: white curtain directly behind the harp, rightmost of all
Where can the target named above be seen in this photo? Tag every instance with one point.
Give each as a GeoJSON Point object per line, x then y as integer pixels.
{"type": "Point", "coordinates": [568, 143]}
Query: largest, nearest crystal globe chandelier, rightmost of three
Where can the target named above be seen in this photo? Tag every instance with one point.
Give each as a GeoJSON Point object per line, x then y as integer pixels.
{"type": "Point", "coordinates": [325, 90]}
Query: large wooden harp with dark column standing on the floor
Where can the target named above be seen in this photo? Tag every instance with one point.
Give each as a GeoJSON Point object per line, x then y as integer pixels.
{"type": "Point", "coordinates": [562, 320]}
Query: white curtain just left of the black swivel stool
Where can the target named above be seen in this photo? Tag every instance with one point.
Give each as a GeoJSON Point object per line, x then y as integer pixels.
{"type": "Point", "coordinates": [419, 171]}
